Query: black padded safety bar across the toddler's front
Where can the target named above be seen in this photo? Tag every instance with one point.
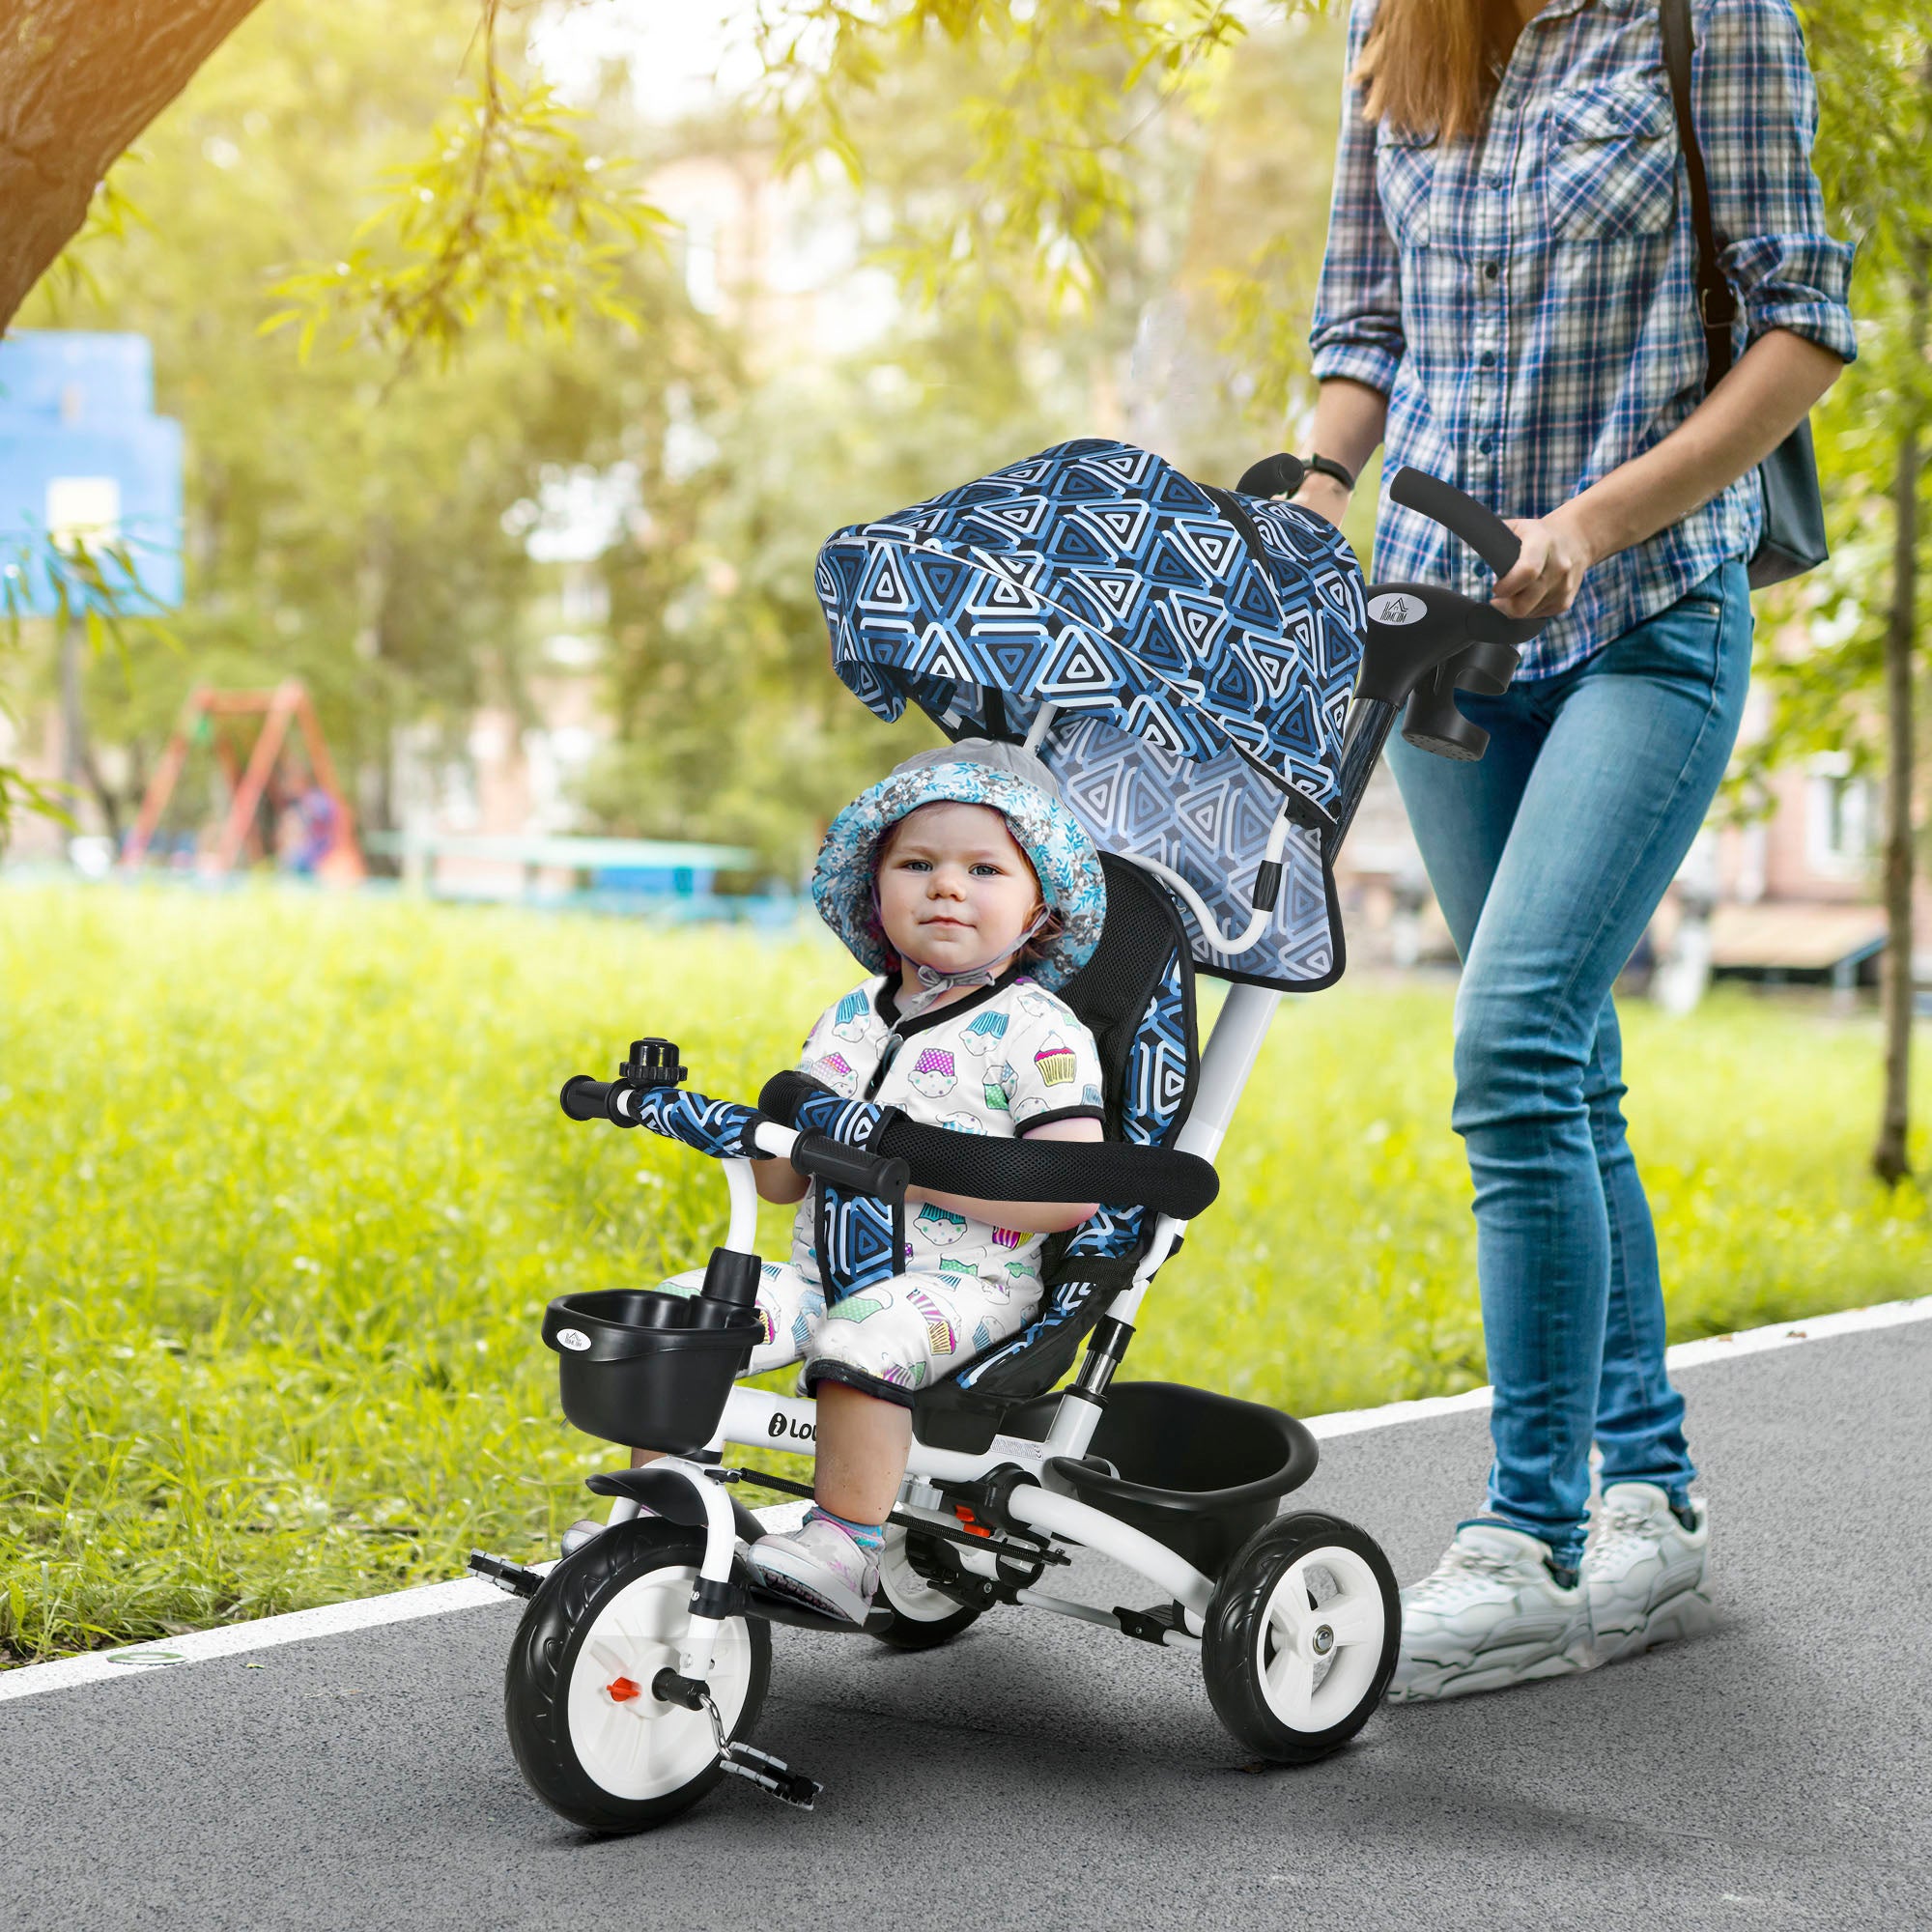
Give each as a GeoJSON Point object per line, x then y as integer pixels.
{"type": "Point", "coordinates": [1025, 1170]}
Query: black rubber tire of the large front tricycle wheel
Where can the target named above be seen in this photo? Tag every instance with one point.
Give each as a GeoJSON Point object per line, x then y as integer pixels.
{"type": "Point", "coordinates": [544, 1657]}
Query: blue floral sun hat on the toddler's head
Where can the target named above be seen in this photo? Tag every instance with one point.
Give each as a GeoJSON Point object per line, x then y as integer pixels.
{"type": "Point", "coordinates": [977, 772]}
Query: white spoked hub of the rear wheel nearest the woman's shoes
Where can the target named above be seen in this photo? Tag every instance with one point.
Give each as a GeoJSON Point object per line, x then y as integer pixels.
{"type": "Point", "coordinates": [1321, 1639]}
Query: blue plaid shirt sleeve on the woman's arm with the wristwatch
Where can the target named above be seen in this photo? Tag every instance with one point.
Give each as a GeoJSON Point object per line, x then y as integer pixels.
{"type": "Point", "coordinates": [1359, 298]}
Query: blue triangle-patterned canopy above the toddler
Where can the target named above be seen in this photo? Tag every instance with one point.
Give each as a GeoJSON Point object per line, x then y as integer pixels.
{"type": "Point", "coordinates": [1199, 650]}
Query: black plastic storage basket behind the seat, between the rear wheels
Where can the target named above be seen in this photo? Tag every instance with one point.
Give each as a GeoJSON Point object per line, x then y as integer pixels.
{"type": "Point", "coordinates": [1199, 1473]}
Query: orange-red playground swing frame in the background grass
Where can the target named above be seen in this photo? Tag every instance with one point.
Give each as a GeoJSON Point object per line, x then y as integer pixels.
{"type": "Point", "coordinates": [283, 770]}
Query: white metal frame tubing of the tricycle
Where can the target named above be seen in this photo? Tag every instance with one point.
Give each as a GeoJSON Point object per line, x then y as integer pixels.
{"type": "Point", "coordinates": [762, 1419]}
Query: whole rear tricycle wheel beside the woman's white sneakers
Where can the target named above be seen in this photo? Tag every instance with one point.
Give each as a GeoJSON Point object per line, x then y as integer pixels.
{"type": "Point", "coordinates": [1301, 1637]}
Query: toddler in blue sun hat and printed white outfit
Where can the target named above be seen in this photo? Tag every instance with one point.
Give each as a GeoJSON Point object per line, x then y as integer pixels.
{"type": "Point", "coordinates": [971, 892]}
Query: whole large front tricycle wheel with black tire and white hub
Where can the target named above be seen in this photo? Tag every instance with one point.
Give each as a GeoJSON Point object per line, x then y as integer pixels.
{"type": "Point", "coordinates": [590, 1738]}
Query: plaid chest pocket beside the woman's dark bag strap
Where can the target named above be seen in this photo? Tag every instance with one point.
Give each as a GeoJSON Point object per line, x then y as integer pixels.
{"type": "Point", "coordinates": [1610, 163]}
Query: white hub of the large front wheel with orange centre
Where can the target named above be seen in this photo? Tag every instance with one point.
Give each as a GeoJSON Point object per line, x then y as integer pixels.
{"type": "Point", "coordinates": [629, 1742]}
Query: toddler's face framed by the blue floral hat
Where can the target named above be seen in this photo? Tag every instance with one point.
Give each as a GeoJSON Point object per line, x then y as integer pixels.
{"type": "Point", "coordinates": [955, 892]}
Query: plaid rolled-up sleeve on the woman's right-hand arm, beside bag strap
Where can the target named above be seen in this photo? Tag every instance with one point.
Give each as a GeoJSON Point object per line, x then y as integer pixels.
{"type": "Point", "coordinates": [1757, 117]}
